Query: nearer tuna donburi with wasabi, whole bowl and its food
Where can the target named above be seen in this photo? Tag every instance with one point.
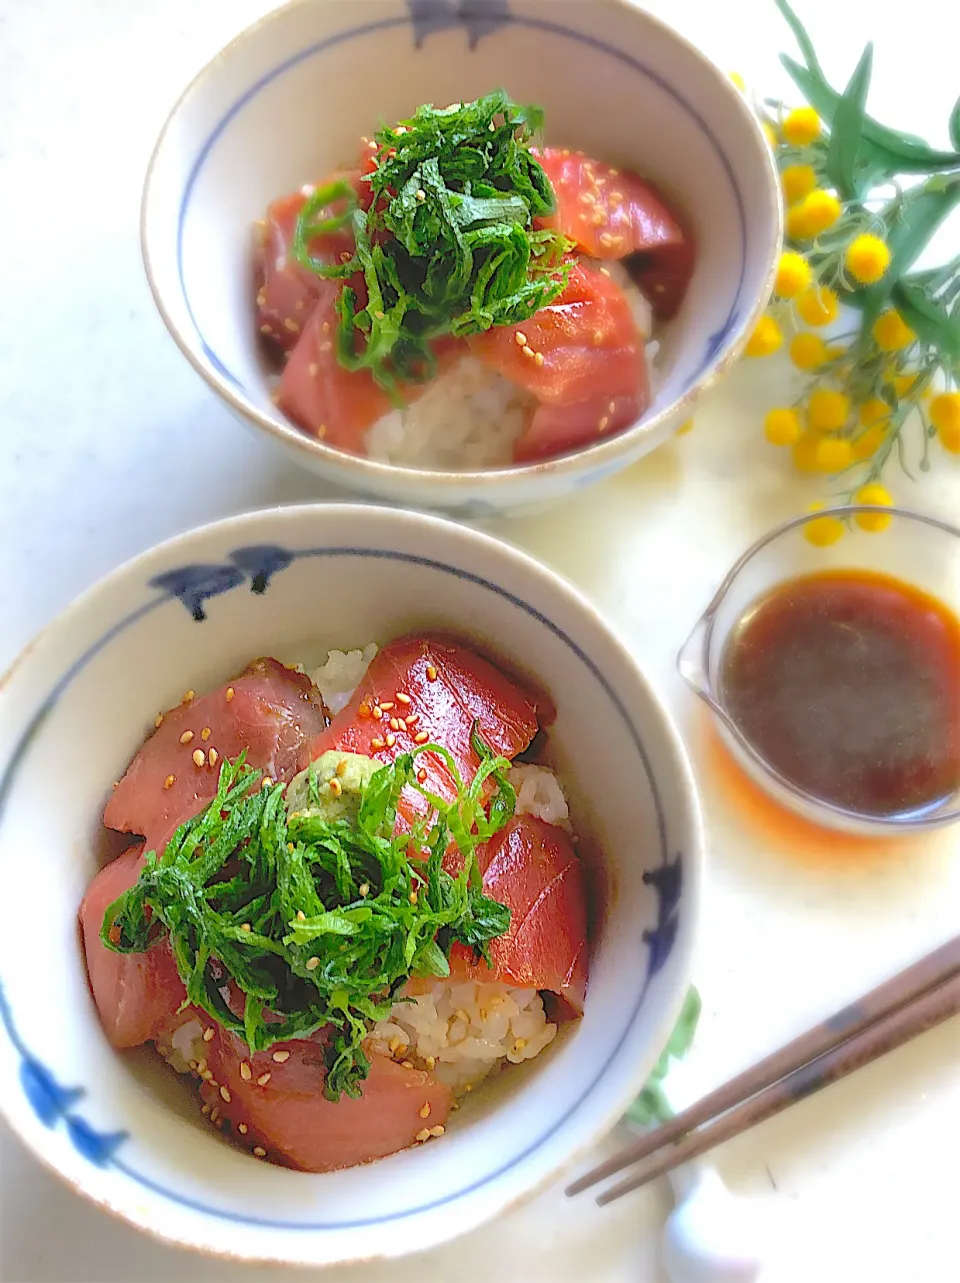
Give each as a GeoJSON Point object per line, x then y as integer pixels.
{"type": "Point", "coordinates": [363, 919]}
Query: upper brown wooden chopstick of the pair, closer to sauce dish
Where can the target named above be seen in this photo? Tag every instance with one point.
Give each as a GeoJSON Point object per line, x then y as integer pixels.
{"type": "Point", "coordinates": [845, 1026]}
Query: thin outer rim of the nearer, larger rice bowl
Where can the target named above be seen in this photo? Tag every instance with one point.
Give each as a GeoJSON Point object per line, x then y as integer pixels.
{"type": "Point", "coordinates": [689, 805]}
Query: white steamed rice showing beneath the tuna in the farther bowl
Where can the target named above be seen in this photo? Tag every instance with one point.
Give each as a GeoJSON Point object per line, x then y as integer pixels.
{"type": "Point", "coordinates": [470, 418]}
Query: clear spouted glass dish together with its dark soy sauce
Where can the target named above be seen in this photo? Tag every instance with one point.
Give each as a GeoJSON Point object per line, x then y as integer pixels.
{"type": "Point", "coordinates": [835, 673]}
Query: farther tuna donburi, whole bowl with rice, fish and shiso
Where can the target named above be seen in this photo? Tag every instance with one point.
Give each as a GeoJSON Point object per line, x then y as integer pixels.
{"type": "Point", "coordinates": [508, 268]}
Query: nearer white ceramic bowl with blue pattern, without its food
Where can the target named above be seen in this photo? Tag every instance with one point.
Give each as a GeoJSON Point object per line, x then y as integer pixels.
{"type": "Point", "coordinates": [293, 583]}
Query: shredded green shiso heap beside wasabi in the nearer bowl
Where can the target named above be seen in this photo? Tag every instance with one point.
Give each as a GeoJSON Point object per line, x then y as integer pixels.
{"type": "Point", "coordinates": [318, 922]}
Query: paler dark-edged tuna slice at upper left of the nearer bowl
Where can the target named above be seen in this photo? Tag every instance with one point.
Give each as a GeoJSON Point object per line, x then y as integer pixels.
{"type": "Point", "coordinates": [269, 710]}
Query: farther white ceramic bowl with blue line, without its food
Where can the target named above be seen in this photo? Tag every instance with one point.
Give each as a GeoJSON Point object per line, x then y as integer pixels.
{"type": "Point", "coordinates": [288, 101]}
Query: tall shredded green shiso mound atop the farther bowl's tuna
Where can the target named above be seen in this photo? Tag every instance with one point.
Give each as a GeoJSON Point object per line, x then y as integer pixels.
{"type": "Point", "coordinates": [449, 244]}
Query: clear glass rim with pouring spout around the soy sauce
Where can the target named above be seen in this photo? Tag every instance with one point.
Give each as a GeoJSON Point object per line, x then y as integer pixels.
{"type": "Point", "coordinates": [698, 650]}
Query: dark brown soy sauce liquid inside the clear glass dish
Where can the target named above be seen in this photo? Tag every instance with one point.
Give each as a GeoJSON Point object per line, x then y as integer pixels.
{"type": "Point", "coordinates": [848, 682]}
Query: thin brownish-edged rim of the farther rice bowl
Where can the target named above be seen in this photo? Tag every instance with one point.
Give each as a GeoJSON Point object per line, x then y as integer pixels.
{"type": "Point", "coordinates": [370, 472]}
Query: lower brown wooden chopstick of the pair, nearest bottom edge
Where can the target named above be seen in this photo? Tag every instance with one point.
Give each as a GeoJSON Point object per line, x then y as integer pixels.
{"type": "Point", "coordinates": [900, 1027]}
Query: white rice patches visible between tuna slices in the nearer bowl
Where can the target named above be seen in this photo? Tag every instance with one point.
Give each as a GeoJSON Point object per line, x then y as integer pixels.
{"type": "Point", "coordinates": [459, 1032]}
